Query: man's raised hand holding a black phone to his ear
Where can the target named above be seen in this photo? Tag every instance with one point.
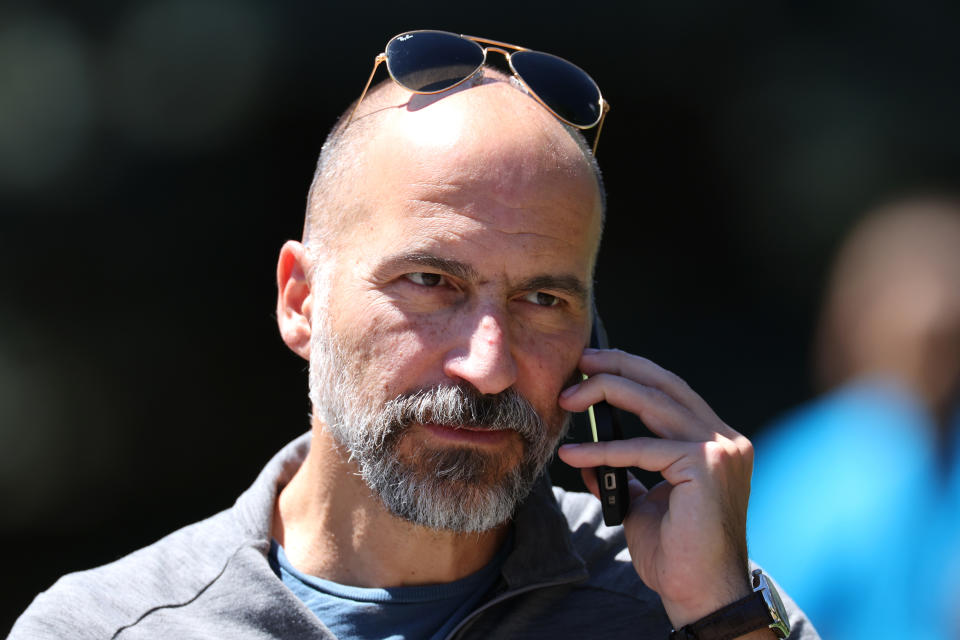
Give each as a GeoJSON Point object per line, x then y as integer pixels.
{"type": "Point", "coordinates": [688, 541]}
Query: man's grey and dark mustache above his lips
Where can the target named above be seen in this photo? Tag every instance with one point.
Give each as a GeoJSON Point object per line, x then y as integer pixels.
{"type": "Point", "coordinates": [465, 406]}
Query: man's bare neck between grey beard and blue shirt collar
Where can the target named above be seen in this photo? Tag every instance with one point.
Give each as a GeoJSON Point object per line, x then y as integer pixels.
{"type": "Point", "coordinates": [331, 526]}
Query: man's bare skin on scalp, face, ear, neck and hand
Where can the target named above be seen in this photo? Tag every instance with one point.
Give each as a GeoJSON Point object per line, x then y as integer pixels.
{"type": "Point", "coordinates": [471, 261]}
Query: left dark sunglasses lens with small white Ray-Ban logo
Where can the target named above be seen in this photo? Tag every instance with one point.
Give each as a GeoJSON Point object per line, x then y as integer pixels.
{"type": "Point", "coordinates": [431, 61]}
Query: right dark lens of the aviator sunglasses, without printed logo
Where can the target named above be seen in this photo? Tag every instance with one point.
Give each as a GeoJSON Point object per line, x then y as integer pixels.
{"type": "Point", "coordinates": [562, 85]}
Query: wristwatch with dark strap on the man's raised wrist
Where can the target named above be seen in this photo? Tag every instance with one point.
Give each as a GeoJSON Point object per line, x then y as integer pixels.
{"type": "Point", "coordinates": [760, 610]}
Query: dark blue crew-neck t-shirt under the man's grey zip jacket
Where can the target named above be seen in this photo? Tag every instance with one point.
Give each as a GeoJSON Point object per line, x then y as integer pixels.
{"type": "Point", "coordinates": [396, 613]}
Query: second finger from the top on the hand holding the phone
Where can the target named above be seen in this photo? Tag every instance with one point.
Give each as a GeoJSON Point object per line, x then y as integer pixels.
{"type": "Point", "coordinates": [662, 414]}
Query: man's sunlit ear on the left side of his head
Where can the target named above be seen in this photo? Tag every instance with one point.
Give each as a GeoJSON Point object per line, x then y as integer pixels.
{"type": "Point", "coordinates": [294, 298]}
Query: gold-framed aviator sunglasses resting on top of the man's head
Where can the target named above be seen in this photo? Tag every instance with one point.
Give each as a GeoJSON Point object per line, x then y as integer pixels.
{"type": "Point", "coordinates": [428, 62]}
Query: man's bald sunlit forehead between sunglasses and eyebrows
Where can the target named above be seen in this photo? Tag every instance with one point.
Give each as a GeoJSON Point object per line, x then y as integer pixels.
{"type": "Point", "coordinates": [491, 156]}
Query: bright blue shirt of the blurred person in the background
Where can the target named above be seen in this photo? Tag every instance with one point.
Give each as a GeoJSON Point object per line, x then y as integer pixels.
{"type": "Point", "coordinates": [852, 514]}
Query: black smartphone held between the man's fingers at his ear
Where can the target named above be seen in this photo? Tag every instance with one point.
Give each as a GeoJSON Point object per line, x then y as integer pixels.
{"type": "Point", "coordinates": [605, 425]}
